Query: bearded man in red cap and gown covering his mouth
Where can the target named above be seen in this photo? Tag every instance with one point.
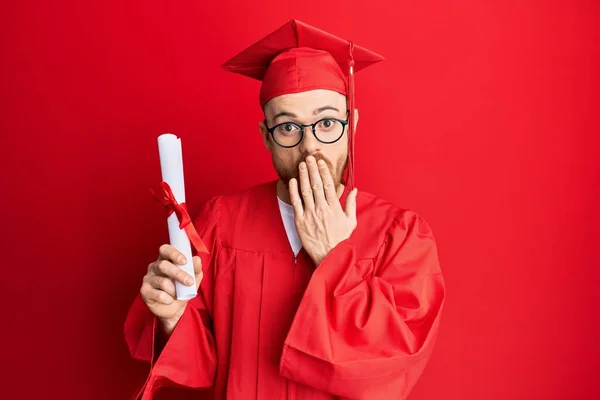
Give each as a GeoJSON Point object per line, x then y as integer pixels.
{"type": "Point", "coordinates": [310, 289]}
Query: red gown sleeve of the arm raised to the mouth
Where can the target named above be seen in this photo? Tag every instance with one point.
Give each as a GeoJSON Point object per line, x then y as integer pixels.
{"type": "Point", "coordinates": [365, 329]}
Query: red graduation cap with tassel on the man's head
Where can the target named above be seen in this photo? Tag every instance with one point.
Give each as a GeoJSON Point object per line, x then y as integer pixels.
{"type": "Point", "coordinates": [298, 57]}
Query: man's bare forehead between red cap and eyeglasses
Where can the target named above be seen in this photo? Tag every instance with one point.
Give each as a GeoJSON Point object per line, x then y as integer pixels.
{"type": "Point", "coordinates": [304, 103]}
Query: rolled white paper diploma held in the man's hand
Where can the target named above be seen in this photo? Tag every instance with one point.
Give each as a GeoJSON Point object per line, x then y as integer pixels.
{"type": "Point", "coordinates": [171, 164]}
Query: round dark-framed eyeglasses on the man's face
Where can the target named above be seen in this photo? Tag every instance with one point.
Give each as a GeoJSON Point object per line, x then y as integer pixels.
{"type": "Point", "coordinates": [290, 134]}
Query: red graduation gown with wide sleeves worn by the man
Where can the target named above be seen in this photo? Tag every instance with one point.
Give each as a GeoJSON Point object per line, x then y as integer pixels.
{"type": "Point", "coordinates": [269, 325]}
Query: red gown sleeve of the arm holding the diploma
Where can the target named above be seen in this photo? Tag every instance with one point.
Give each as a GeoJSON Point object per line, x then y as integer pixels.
{"type": "Point", "coordinates": [188, 357]}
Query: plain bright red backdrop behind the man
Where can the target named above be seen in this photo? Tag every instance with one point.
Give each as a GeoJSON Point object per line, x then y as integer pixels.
{"type": "Point", "coordinates": [484, 119]}
